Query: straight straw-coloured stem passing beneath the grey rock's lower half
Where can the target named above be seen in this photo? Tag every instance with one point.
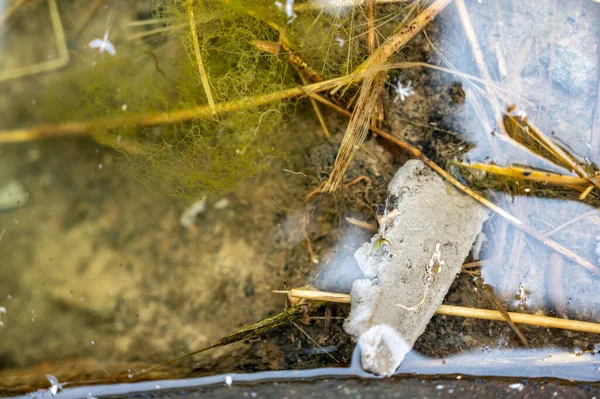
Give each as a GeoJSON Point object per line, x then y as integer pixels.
{"type": "Point", "coordinates": [461, 311]}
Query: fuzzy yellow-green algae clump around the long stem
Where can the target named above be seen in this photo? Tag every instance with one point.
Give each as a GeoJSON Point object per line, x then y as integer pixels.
{"type": "Point", "coordinates": [208, 155]}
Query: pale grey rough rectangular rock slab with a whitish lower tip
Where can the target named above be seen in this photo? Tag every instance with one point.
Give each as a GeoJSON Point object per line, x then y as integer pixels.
{"type": "Point", "coordinates": [426, 232]}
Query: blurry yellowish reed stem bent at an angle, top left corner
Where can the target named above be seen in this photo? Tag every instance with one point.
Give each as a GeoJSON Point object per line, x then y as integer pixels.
{"type": "Point", "coordinates": [45, 66]}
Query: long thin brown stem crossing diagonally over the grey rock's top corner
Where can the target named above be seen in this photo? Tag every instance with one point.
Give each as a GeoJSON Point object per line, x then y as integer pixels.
{"type": "Point", "coordinates": [513, 220]}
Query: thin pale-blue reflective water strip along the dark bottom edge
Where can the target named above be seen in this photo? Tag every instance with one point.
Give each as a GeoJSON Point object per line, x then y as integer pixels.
{"type": "Point", "coordinates": [536, 364]}
